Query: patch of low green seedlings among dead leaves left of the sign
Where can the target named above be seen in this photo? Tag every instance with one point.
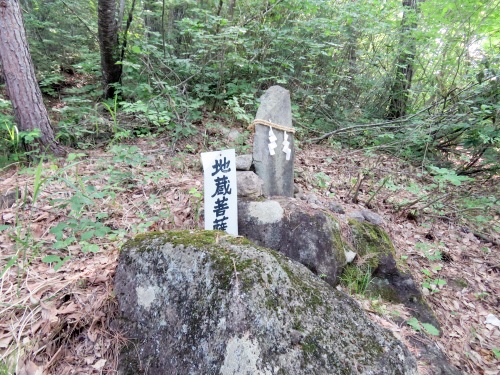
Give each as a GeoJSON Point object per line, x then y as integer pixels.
{"type": "Point", "coordinates": [87, 203]}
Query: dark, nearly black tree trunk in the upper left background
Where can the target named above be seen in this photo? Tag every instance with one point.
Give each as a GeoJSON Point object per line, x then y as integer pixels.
{"type": "Point", "coordinates": [109, 45]}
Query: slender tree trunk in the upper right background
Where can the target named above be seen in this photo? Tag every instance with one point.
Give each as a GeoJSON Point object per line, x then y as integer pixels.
{"type": "Point", "coordinates": [400, 90]}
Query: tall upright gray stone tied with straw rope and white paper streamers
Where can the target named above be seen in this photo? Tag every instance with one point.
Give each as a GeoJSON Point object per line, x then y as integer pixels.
{"type": "Point", "coordinates": [275, 170]}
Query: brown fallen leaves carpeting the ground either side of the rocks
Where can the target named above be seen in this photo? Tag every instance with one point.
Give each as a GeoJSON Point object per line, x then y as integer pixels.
{"type": "Point", "coordinates": [58, 322]}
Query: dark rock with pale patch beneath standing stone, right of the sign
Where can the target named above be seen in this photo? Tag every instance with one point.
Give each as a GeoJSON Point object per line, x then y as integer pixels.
{"type": "Point", "coordinates": [294, 228]}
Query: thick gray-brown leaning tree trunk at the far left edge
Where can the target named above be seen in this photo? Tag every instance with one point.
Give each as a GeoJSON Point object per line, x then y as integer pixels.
{"type": "Point", "coordinates": [22, 87]}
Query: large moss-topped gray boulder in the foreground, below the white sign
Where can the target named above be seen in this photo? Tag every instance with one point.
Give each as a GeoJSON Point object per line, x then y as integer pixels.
{"type": "Point", "coordinates": [208, 303]}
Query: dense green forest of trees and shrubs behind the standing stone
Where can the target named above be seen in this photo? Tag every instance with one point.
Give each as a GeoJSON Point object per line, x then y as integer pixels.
{"type": "Point", "coordinates": [418, 79]}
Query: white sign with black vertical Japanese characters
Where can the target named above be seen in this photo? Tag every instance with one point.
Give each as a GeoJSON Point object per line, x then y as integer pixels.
{"type": "Point", "coordinates": [220, 194]}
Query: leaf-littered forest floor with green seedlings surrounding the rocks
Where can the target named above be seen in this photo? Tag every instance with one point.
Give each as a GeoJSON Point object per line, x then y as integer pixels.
{"type": "Point", "coordinates": [56, 311]}
